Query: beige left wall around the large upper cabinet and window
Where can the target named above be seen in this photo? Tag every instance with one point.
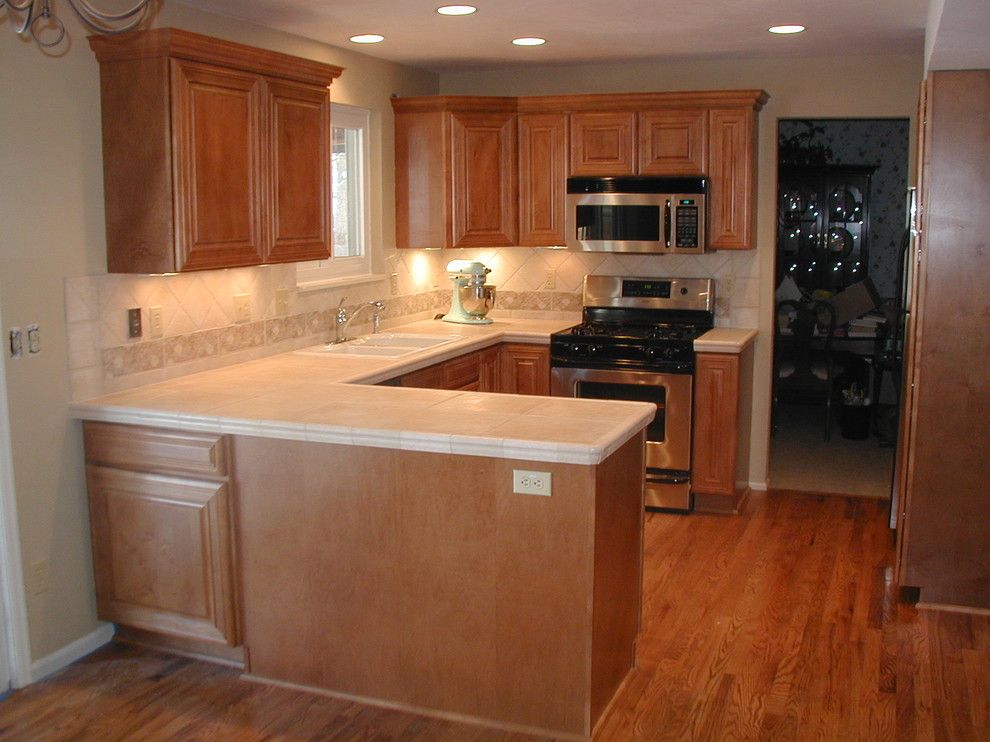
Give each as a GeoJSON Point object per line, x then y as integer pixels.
{"type": "Point", "coordinates": [51, 228]}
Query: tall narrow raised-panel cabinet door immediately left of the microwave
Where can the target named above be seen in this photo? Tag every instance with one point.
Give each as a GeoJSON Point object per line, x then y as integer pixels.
{"type": "Point", "coordinates": [542, 177]}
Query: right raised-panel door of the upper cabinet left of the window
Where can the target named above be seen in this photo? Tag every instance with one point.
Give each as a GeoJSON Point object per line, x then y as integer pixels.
{"type": "Point", "coordinates": [299, 128]}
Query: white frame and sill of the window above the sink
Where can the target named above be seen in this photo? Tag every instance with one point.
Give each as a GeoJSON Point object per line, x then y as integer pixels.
{"type": "Point", "coordinates": [348, 270]}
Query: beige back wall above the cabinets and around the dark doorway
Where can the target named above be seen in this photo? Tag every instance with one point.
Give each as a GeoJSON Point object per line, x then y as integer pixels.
{"type": "Point", "coordinates": [821, 87]}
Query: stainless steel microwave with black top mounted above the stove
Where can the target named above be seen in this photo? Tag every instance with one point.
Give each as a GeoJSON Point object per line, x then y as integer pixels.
{"type": "Point", "coordinates": [636, 214]}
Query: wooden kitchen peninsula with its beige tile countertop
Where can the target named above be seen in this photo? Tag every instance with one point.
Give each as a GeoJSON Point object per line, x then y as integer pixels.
{"type": "Point", "coordinates": [366, 540]}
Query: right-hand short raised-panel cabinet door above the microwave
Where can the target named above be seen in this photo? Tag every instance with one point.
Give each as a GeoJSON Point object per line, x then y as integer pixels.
{"type": "Point", "coordinates": [673, 142]}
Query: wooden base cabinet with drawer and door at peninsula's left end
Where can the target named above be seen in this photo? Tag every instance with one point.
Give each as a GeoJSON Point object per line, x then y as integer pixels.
{"type": "Point", "coordinates": [160, 515]}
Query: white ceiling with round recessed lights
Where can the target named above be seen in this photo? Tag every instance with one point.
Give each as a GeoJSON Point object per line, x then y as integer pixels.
{"type": "Point", "coordinates": [592, 30]}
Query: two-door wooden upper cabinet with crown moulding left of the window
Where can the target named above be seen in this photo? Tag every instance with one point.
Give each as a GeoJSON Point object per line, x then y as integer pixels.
{"type": "Point", "coordinates": [215, 154]}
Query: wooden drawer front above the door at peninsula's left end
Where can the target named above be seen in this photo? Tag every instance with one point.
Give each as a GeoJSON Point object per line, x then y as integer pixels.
{"type": "Point", "coordinates": [154, 449]}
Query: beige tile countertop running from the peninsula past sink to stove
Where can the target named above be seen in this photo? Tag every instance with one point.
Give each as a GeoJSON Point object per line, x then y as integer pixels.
{"type": "Point", "coordinates": [331, 399]}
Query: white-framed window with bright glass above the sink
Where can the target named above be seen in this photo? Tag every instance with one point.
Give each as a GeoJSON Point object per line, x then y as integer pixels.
{"type": "Point", "coordinates": [350, 188]}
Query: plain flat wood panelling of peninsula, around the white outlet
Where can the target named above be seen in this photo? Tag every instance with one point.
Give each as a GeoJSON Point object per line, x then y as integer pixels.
{"type": "Point", "coordinates": [420, 579]}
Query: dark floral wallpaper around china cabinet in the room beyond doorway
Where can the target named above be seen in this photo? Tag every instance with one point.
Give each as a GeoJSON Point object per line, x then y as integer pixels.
{"type": "Point", "coordinates": [880, 142]}
